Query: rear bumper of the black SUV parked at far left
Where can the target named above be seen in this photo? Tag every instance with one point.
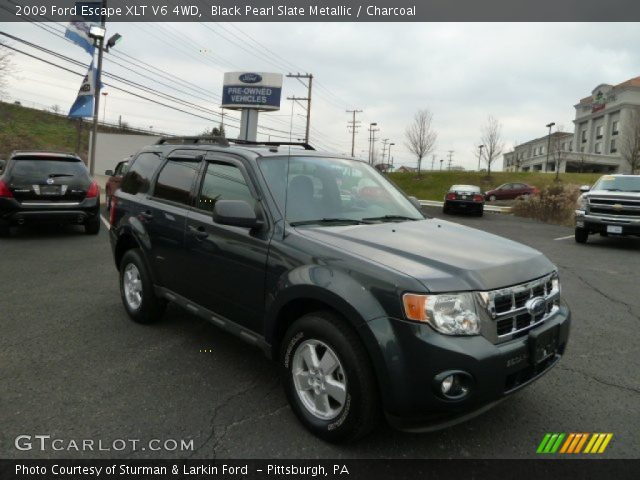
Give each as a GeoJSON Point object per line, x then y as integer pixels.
{"type": "Point", "coordinates": [13, 212]}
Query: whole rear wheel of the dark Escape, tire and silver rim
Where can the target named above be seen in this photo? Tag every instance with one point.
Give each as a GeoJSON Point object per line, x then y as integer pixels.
{"type": "Point", "coordinates": [140, 301]}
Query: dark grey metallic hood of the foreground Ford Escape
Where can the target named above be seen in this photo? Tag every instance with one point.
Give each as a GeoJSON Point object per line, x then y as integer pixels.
{"type": "Point", "coordinates": [443, 256]}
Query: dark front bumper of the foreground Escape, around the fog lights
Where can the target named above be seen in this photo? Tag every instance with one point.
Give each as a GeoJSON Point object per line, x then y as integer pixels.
{"type": "Point", "coordinates": [411, 355]}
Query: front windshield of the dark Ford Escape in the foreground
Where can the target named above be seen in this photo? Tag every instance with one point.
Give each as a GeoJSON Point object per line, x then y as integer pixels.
{"type": "Point", "coordinates": [331, 190]}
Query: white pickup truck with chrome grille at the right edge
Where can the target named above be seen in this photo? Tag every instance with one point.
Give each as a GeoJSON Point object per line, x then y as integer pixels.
{"type": "Point", "coordinates": [611, 207]}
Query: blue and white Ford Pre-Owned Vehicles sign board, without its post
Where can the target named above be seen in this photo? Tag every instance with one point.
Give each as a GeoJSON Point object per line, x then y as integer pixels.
{"type": "Point", "coordinates": [254, 90]}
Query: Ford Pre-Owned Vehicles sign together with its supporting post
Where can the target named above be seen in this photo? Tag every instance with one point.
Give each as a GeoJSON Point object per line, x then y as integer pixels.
{"type": "Point", "coordinates": [251, 93]}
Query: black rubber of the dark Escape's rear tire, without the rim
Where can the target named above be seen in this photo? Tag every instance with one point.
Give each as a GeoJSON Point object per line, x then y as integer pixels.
{"type": "Point", "coordinates": [151, 307]}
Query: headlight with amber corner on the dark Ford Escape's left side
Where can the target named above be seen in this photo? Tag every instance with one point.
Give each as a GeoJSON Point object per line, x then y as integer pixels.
{"type": "Point", "coordinates": [451, 314]}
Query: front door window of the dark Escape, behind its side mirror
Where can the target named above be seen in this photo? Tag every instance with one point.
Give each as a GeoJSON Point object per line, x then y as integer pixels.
{"type": "Point", "coordinates": [223, 181]}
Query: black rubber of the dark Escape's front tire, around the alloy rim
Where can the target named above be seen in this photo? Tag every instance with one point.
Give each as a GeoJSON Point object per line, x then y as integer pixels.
{"type": "Point", "coordinates": [360, 410]}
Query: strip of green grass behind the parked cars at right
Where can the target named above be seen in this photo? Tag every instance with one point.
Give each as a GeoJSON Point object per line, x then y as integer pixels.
{"type": "Point", "coordinates": [434, 185]}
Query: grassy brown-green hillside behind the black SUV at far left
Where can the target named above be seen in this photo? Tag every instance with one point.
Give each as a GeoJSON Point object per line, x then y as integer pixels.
{"type": "Point", "coordinates": [23, 128]}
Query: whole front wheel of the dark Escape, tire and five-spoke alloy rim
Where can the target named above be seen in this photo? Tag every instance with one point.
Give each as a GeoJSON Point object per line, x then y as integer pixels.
{"type": "Point", "coordinates": [338, 419]}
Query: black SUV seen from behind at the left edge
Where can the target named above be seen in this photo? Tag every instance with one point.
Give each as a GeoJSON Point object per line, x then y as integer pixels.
{"type": "Point", "coordinates": [39, 187]}
